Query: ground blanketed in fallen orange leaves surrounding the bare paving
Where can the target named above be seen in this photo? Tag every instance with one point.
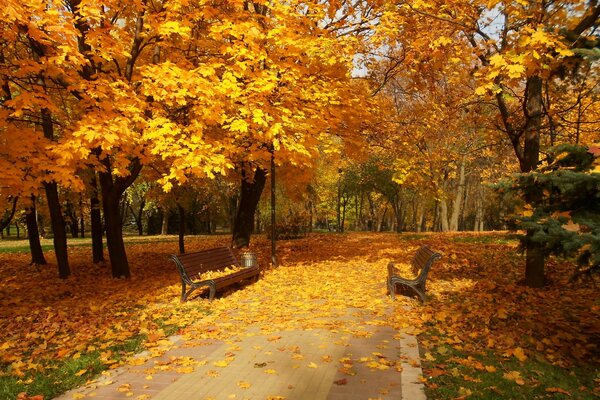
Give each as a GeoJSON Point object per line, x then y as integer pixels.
{"type": "Point", "coordinates": [482, 335]}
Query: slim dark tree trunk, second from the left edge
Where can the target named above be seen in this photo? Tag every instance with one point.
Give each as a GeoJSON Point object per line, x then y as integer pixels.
{"type": "Point", "coordinates": [58, 230]}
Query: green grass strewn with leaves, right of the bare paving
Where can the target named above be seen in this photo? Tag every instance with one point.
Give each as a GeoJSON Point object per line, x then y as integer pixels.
{"type": "Point", "coordinates": [453, 374]}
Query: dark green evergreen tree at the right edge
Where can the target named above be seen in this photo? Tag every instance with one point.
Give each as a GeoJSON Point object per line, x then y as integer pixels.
{"type": "Point", "coordinates": [558, 205]}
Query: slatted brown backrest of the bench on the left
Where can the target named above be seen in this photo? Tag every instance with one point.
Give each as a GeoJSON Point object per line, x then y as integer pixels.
{"type": "Point", "coordinates": [192, 264]}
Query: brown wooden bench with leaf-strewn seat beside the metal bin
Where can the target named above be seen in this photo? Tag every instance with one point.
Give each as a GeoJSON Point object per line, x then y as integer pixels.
{"type": "Point", "coordinates": [190, 265]}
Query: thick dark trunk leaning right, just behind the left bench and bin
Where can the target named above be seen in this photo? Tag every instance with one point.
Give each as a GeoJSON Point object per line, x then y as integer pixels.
{"type": "Point", "coordinates": [250, 195]}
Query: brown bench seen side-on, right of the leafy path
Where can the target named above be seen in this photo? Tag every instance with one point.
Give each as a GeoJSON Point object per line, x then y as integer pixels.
{"type": "Point", "coordinates": [421, 263]}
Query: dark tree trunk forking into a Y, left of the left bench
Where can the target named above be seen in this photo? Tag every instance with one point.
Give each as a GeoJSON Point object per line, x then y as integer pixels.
{"type": "Point", "coordinates": [112, 190]}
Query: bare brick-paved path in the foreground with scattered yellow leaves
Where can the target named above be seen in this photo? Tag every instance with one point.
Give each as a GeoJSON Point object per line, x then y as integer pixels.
{"type": "Point", "coordinates": [295, 365]}
